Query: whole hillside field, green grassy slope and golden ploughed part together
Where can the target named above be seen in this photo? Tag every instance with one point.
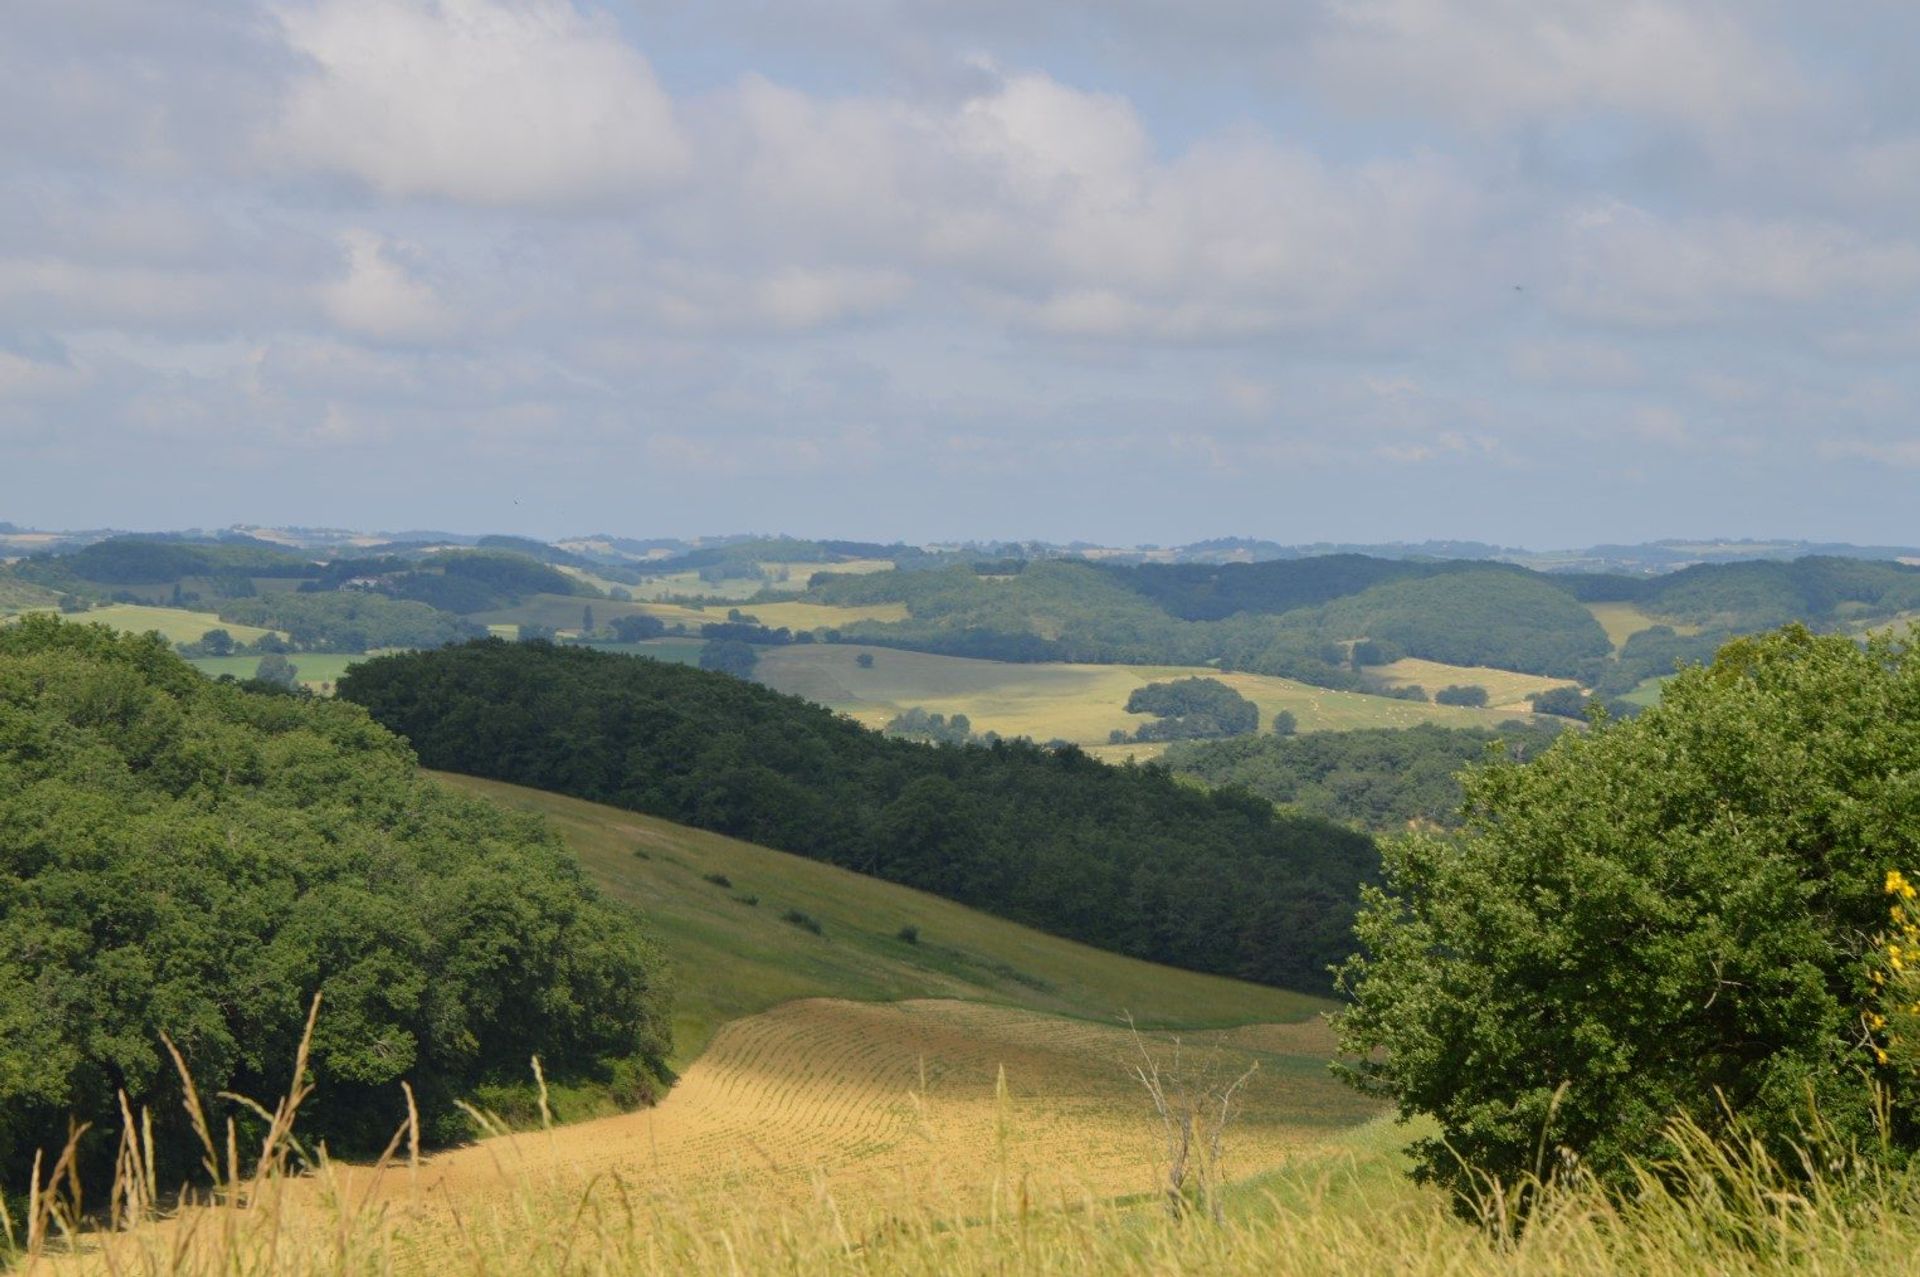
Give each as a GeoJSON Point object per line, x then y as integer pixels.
{"type": "Point", "coordinates": [875, 1061]}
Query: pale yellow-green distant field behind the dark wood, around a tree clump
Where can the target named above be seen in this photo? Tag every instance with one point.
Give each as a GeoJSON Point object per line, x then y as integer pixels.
{"type": "Point", "coordinates": [1080, 704]}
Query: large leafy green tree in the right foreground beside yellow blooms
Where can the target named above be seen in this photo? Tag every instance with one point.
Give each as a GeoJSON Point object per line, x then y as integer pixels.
{"type": "Point", "coordinates": [1656, 919]}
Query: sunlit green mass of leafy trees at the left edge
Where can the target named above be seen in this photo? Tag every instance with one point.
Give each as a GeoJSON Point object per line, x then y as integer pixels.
{"type": "Point", "coordinates": [199, 859]}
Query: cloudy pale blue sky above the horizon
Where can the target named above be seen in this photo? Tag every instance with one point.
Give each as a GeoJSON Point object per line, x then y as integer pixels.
{"type": "Point", "coordinates": [1529, 272]}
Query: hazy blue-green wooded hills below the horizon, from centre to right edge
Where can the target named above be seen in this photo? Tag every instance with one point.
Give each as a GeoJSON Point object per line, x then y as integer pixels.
{"type": "Point", "coordinates": [1301, 617]}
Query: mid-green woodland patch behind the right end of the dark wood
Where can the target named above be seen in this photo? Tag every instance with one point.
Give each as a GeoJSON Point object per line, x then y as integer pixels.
{"type": "Point", "coordinates": [1378, 779]}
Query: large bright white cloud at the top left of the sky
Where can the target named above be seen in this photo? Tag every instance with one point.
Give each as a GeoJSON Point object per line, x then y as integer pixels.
{"type": "Point", "coordinates": [475, 101]}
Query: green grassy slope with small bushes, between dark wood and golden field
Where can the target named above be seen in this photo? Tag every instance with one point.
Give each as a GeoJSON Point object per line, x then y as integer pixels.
{"type": "Point", "coordinates": [734, 959]}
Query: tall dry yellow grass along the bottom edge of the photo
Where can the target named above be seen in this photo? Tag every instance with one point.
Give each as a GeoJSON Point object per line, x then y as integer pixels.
{"type": "Point", "coordinates": [1716, 1207]}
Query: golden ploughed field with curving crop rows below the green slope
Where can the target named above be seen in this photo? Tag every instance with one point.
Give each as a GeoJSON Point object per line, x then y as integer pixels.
{"type": "Point", "coordinates": [938, 1094]}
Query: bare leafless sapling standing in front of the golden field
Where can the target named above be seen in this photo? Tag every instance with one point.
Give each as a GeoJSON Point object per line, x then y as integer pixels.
{"type": "Point", "coordinates": [1195, 1103]}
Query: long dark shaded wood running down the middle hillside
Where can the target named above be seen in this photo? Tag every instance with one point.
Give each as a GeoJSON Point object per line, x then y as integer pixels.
{"type": "Point", "coordinates": [1126, 859]}
